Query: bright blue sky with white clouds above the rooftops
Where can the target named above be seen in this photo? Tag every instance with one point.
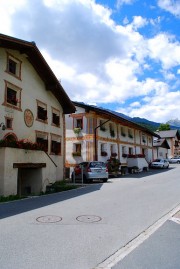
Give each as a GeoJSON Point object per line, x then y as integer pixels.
{"type": "Point", "coordinates": [118, 54]}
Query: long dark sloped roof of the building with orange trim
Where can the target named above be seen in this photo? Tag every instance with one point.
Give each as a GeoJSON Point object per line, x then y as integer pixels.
{"type": "Point", "coordinates": [114, 115]}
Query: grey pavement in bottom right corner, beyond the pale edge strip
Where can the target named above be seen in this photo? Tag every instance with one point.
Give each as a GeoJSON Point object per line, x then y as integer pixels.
{"type": "Point", "coordinates": [160, 251]}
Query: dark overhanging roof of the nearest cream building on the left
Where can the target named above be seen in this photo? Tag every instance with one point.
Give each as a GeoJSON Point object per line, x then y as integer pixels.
{"type": "Point", "coordinates": [35, 57]}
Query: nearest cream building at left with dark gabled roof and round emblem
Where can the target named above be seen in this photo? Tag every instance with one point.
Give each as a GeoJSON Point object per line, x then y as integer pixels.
{"type": "Point", "coordinates": [32, 108]}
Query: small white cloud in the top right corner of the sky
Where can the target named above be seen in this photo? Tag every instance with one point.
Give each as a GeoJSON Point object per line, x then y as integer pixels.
{"type": "Point", "coordinates": [172, 6]}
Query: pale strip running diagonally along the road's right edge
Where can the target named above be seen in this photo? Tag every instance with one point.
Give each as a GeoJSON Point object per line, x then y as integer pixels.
{"type": "Point", "coordinates": [129, 247]}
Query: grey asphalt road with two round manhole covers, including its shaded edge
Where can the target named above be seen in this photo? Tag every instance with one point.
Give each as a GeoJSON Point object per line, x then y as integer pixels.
{"type": "Point", "coordinates": [79, 229]}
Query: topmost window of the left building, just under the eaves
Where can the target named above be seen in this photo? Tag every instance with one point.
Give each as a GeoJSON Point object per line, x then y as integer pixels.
{"type": "Point", "coordinates": [13, 66]}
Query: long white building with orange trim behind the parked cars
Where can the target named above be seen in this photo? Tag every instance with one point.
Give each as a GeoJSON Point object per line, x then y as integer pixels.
{"type": "Point", "coordinates": [94, 133]}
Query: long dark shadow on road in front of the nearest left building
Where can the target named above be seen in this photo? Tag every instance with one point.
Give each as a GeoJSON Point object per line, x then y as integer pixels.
{"type": "Point", "coordinates": [24, 205]}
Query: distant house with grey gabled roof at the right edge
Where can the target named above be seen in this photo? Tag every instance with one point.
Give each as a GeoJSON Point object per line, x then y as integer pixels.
{"type": "Point", "coordinates": [173, 139]}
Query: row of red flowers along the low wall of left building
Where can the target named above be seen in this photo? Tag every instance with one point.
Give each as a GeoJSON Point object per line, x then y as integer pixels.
{"type": "Point", "coordinates": [21, 144]}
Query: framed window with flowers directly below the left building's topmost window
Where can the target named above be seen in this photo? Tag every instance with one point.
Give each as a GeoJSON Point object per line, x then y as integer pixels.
{"type": "Point", "coordinates": [12, 96]}
